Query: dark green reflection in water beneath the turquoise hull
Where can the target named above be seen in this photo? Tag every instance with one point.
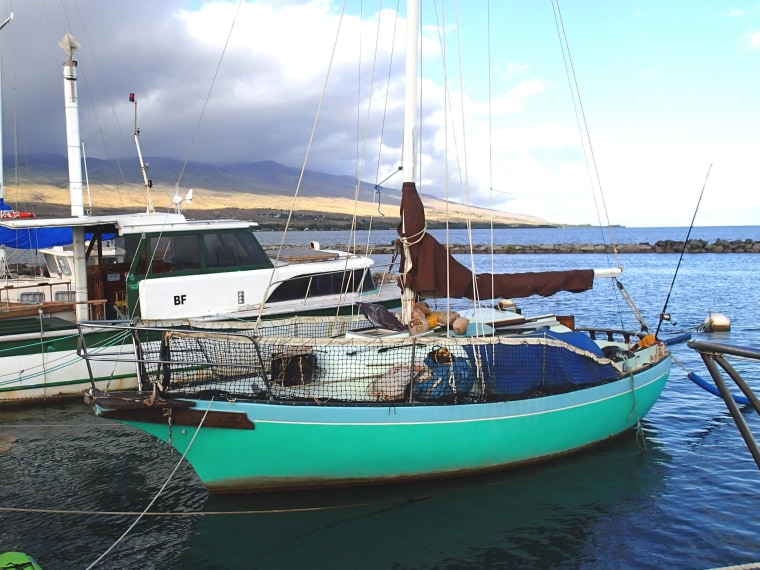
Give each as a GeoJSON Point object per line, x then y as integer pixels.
{"type": "Point", "coordinates": [549, 515]}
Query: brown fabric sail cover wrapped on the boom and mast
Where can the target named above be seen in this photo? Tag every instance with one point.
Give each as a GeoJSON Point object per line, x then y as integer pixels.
{"type": "Point", "coordinates": [431, 263]}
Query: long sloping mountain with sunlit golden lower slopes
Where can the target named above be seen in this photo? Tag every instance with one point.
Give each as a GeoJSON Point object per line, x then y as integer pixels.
{"type": "Point", "coordinates": [260, 191]}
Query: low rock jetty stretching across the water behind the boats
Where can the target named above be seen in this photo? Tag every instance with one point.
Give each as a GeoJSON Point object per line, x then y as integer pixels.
{"type": "Point", "coordinates": [663, 246]}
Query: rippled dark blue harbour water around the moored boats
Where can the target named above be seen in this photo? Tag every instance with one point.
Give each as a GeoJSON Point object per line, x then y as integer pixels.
{"type": "Point", "coordinates": [682, 493]}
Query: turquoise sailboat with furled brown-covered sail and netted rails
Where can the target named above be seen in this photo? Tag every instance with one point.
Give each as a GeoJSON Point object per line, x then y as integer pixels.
{"type": "Point", "coordinates": [377, 398]}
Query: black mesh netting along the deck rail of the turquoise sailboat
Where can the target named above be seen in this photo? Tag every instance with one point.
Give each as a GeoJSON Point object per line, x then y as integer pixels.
{"type": "Point", "coordinates": [345, 360]}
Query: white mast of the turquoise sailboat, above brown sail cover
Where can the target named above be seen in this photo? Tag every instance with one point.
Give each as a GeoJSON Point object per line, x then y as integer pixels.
{"type": "Point", "coordinates": [409, 137]}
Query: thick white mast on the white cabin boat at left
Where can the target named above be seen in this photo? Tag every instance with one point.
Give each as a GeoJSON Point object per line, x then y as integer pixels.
{"type": "Point", "coordinates": [76, 189]}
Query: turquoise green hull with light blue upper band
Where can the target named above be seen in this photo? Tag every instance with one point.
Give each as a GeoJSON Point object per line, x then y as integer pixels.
{"type": "Point", "coordinates": [288, 446]}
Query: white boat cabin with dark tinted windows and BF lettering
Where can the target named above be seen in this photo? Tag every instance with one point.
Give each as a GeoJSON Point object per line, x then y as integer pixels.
{"type": "Point", "coordinates": [163, 266]}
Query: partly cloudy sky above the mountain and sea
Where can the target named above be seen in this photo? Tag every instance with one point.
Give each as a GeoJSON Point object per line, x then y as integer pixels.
{"type": "Point", "coordinates": [657, 125]}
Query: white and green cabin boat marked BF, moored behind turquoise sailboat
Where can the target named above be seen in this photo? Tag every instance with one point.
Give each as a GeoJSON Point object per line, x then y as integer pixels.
{"type": "Point", "coordinates": [151, 267]}
